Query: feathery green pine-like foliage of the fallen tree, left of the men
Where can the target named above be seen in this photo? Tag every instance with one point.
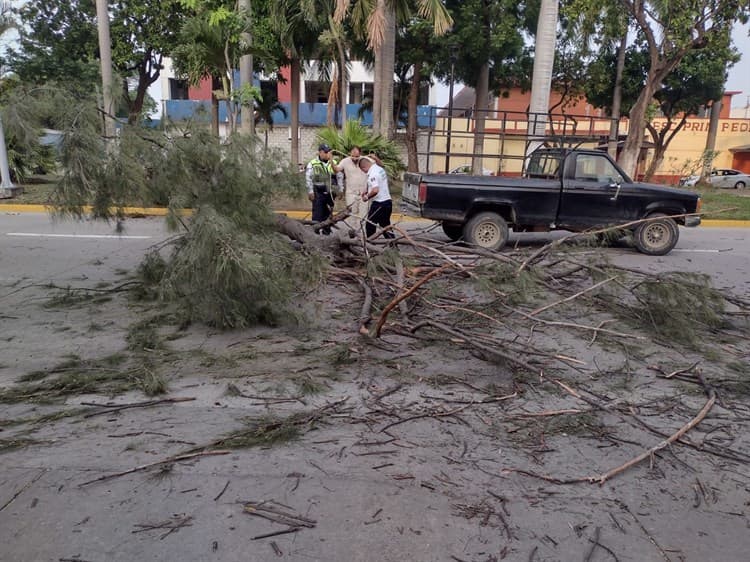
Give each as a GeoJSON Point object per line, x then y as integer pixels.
{"type": "Point", "coordinates": [229, 267]}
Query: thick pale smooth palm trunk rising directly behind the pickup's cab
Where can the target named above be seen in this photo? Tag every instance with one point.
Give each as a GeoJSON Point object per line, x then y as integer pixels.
{"type": "Point", "coordinates": [544, 58]}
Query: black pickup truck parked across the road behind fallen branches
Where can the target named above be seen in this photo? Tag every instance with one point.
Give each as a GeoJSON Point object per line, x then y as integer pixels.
{"type": "Point", "coordinates": [562, 189]}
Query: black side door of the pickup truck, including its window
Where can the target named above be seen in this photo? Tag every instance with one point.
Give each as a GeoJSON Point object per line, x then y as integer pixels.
{"type": "Point", "coordinates": [589, 190]}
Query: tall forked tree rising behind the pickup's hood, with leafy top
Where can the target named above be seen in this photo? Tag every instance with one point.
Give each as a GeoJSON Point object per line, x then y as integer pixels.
{"type": "Point", "coordinates": [671, 30]}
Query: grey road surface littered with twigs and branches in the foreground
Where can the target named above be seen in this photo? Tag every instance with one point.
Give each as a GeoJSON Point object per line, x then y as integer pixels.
{"type": "Point", "coordinates": [126, 435]}
